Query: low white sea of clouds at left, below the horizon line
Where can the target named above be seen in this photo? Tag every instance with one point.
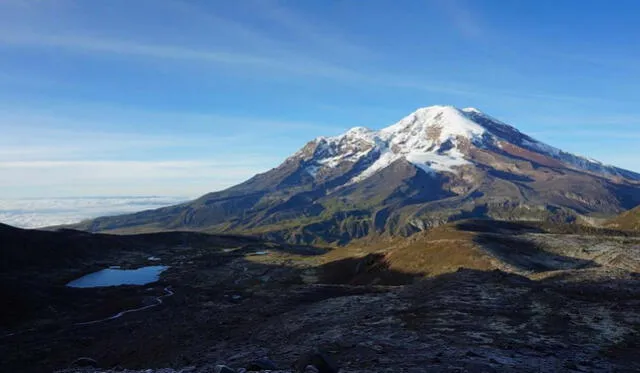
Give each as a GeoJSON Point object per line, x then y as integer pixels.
{"type": "Point", "coordinates": [40, 212]}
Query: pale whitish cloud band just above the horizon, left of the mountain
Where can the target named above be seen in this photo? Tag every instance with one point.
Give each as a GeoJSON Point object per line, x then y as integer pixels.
{"type": "Point", "coordinates": [78, 178]}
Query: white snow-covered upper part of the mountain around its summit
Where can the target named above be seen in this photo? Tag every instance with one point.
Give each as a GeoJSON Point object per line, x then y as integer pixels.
{"type": "Point", "coordinates": [435, 139]}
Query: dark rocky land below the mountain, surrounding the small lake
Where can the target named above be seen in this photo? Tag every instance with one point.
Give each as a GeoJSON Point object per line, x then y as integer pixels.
{"type": "Point", "coordinates": [476, 296]}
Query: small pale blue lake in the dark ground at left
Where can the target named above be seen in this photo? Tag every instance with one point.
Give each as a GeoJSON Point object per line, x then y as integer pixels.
{"type": "Point", "coordinates": [115, 277]}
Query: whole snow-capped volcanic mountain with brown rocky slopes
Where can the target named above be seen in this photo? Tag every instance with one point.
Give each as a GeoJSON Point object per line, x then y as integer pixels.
{"type": "Point", "coordinates": [436, 165]}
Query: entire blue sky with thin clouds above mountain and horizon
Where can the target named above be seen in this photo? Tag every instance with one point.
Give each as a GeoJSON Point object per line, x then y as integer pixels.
{"type": "Point", "coordinates": [182, 97]}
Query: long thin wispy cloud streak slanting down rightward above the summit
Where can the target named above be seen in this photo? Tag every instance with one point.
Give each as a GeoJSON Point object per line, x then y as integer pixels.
{"type": "Point", "coordinates": [282, 64]}
